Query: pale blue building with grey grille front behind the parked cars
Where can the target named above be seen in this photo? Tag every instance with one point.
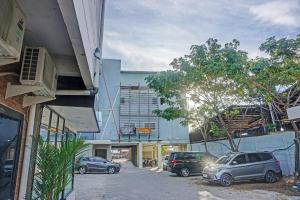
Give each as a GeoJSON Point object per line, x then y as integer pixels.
{"type": "Point", "coordinates": [127, 119]}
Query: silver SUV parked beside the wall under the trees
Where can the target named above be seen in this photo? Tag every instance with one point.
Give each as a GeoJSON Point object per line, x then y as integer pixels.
{"type": "Point", "coordinates": [243, 166]}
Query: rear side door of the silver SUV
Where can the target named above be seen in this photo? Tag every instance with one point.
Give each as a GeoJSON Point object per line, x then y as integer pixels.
{"type": "Point", "coordinates": [255, 166]}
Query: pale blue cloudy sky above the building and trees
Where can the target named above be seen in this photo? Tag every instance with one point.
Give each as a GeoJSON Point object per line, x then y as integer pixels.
{"type": "Point", "coordinates": [148, 34]}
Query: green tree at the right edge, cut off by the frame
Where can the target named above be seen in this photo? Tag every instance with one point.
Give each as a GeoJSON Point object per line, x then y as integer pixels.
{"type": "Point", "coordinates": [276, 78]}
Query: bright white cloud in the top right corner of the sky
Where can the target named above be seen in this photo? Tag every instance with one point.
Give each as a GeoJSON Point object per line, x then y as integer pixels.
{"type": "Point", "coordinates": [279, 12]}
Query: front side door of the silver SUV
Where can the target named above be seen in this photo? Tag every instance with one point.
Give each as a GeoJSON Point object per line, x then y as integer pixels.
{"type": "Point", "coordinates": [238, 167]}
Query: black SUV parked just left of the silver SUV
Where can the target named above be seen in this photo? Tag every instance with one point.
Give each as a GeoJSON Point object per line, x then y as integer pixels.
{"type": "Point", "coordinates": [186, 163]}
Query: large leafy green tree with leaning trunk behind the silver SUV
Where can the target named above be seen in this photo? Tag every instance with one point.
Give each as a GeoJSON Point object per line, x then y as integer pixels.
{"type": "Point", "coordinates": [209, 77]}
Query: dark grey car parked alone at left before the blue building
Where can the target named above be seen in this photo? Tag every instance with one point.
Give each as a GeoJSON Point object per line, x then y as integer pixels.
{"type": "Point", "coordinates": [96, 164]}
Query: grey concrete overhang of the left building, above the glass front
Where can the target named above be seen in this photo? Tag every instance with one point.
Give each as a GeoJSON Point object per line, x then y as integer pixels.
{"type": "Point", "coordinates": [54, 24]}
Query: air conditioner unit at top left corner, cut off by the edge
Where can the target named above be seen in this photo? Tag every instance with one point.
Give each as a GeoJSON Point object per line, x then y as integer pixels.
{"type": "Point", "coordinates": [12, 29]}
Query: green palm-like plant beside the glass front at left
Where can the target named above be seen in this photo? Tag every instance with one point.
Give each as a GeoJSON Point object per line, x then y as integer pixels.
{"type": "Point", "coordinates": [54, 167]}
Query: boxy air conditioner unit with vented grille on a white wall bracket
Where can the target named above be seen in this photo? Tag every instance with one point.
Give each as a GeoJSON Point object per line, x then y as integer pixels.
{"type": "Point", "coordinates": [38, 69]}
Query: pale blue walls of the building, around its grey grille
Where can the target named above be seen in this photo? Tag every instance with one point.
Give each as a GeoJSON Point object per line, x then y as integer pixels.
{"type": "Point", "coordinates": [170, 131]}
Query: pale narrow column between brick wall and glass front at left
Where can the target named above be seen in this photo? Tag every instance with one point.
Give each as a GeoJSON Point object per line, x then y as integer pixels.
{"type": "Point", "coordinates": [27, 152]}
